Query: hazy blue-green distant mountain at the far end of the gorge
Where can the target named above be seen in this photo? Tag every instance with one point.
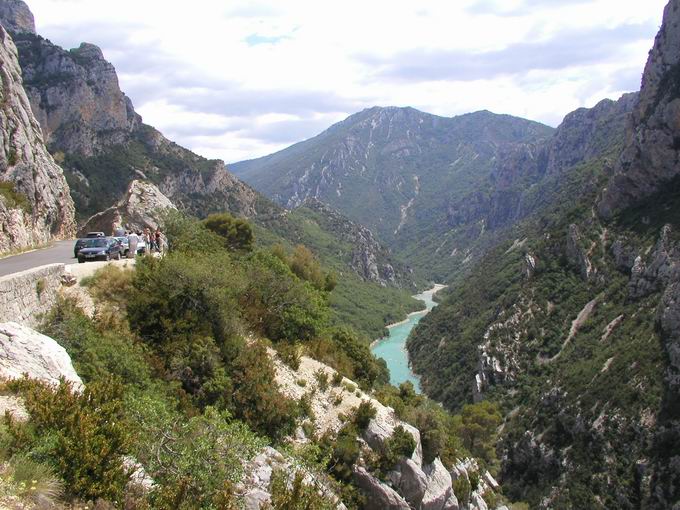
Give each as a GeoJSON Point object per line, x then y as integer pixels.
{"type": "Point", "coordinates": [439, 191]}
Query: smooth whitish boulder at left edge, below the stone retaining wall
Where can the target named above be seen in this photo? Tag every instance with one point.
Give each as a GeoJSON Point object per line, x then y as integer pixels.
{"type": "Point", "coordinates": [24, 351]}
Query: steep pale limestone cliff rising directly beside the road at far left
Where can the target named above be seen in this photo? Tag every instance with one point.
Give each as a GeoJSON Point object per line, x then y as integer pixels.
{"type": "Point", "coordinates": [35, 205]}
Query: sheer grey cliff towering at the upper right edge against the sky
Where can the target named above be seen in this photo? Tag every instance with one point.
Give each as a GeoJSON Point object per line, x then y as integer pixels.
{"type": "Point", "coordinates": [650, 156]}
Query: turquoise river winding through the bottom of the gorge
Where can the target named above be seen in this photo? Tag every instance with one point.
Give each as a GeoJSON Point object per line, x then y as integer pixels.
{"type": "Point", "coordinates": [393, 347]}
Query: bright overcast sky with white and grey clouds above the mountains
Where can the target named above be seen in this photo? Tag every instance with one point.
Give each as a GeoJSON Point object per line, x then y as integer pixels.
{"type": "Point", "coordinates": [240, 79]}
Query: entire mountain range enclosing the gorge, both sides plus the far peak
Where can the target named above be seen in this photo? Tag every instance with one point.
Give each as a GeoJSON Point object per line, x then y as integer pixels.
{"type": "Point", "coordinates": [560, 246]}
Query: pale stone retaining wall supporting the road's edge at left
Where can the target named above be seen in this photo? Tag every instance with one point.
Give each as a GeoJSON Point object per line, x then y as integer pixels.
{"type": "Point", "coordinates": [26, 296]}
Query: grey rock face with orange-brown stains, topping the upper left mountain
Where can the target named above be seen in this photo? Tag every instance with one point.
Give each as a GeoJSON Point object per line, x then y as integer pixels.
{"type": "Point", "coordinates": [75, 96]}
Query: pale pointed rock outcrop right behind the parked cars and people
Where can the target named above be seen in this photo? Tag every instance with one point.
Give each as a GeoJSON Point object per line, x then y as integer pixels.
{"type": "Point", "coordinates": [143, 206]}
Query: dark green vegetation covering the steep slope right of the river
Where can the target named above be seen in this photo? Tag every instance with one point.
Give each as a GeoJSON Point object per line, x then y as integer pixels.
{"type": "Point", "coordinates": [586, 400]}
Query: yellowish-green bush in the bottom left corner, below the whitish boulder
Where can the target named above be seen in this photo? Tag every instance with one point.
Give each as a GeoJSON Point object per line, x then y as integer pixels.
{"type": "Point", "coordinates": [82, 435]}
